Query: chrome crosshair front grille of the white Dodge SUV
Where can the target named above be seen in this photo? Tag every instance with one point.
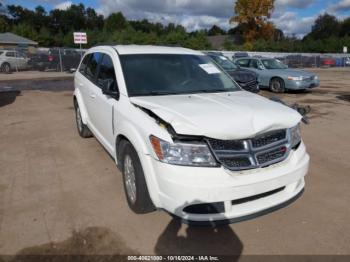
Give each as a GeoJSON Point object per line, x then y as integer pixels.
{"type": "Point", "coordinates": [260, 151]}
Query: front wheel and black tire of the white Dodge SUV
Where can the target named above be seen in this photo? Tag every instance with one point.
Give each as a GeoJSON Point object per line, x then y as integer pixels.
{"type": "Point", "coordinates": [135, 186]}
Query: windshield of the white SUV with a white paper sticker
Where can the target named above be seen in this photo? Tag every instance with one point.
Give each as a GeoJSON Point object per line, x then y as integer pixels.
{"type": "Point", "coordinates": [165, 74]}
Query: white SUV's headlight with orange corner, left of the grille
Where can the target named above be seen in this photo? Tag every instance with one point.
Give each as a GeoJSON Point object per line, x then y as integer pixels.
{"type": "Point", "coordinates": [185, 154]}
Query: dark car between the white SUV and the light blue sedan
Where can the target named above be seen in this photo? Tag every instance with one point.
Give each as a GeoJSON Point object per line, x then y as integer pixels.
{"type": "Point", "coordinates": [246, 79]}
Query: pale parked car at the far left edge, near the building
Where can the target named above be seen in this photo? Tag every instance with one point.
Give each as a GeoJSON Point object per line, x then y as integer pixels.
{"type": "Point", "coordinates": [12, 60]}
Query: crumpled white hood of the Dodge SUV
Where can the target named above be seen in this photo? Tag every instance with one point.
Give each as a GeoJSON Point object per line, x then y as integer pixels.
{"type": "Point", "coordinates": [234, 115]}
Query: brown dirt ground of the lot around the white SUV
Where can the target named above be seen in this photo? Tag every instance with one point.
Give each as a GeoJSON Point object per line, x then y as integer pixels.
{"type": "Point", "coordinates": [60, 194]}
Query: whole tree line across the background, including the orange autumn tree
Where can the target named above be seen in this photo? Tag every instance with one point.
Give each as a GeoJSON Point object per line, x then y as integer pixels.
{"type": "Point", "coordinates": [251, 29]}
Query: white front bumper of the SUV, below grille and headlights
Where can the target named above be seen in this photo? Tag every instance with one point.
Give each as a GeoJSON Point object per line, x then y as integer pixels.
{"type": "Point", "coordinates": [219, 195]}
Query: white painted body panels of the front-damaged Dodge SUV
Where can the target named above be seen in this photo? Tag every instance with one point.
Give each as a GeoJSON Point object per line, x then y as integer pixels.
{"type": "Point", "coordinates": [232, 115]}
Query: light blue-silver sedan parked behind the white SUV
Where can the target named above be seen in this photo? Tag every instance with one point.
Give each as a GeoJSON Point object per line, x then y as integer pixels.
{"type": "Point", "coordinates": [276, 76]}
